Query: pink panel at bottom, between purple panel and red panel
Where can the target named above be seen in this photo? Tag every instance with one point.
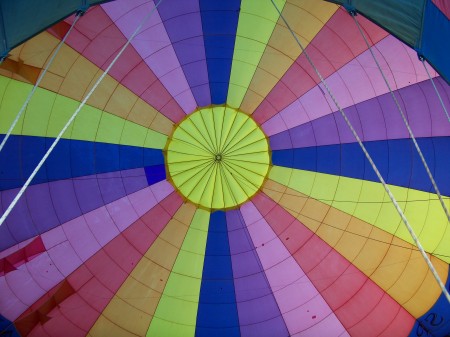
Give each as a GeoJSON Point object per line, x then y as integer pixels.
{"type": "Point", "coordinates": [300, 303]}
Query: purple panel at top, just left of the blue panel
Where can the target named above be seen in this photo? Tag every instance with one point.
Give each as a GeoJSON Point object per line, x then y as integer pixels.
{"type": "Point", "coordinates": [183, 24]}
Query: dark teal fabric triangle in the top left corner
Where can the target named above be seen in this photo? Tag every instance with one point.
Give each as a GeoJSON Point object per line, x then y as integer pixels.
{"type": "Point", "coordinates": [22, 19]}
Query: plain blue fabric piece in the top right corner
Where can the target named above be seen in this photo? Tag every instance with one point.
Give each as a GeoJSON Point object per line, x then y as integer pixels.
{"type": "Point", "coordinates": [435, 40]}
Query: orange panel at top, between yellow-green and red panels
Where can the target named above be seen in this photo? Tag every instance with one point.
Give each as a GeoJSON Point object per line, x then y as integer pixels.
{"type": "Point", "coordinates": [306, 18]}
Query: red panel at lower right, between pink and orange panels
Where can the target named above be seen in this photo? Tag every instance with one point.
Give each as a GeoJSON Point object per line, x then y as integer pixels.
{"type": "Point", "coordinates": [363, 308]}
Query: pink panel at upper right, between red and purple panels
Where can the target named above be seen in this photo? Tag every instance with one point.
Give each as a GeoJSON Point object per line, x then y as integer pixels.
{"type": "Point", "coordinates": [356, 82]}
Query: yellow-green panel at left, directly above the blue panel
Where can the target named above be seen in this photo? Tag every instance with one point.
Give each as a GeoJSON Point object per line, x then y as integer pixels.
{"type": "Point", "coordinates": [48, 112]}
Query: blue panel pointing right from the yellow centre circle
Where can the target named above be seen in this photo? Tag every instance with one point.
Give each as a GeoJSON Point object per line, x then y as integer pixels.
{"type": "Point", "coordinates": [397, 161]}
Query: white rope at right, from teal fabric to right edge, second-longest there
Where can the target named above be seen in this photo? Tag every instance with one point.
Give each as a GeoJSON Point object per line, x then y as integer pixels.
{"type": "Point", "coordinates": [411, 134]}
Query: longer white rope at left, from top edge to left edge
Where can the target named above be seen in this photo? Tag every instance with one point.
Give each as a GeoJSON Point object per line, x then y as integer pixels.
{"type": "Point", "coordinates": [69, 122]}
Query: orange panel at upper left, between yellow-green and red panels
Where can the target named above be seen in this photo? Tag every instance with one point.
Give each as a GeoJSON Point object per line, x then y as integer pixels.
{"type": "Point", "coordinates": [72, 75]}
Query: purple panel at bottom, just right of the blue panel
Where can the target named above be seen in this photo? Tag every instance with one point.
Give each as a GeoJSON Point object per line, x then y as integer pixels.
{"type": "Point", "coordinates": [259, 314]}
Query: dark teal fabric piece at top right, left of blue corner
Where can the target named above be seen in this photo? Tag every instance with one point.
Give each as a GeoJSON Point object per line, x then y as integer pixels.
{"type": "Point", "coordinates": [402, 18]}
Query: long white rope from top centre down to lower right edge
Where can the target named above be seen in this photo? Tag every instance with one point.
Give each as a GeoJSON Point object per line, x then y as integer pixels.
{"type": "Point", "coordinates": [369, 158]}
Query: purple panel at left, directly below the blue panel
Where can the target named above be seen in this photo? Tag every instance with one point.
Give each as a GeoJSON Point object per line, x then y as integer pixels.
{"type": "Point", "coordinates": [46, 206]}
